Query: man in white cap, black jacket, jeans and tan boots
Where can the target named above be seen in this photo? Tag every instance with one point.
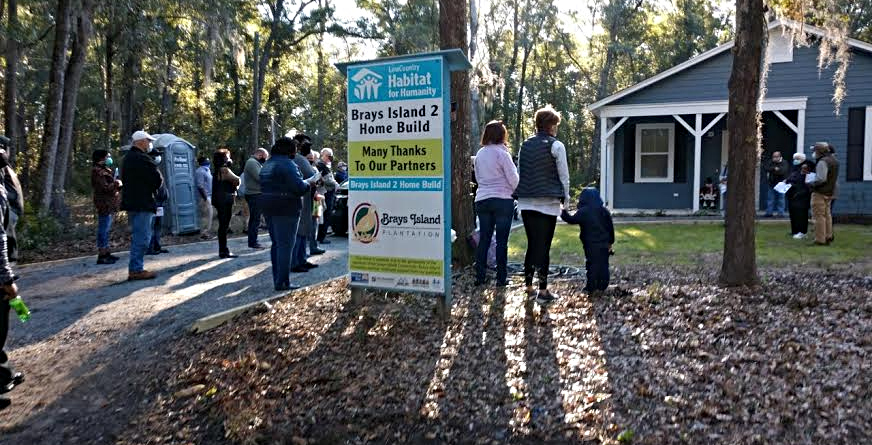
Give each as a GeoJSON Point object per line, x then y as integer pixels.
{"type": "Point", "coordinates": [141, 180]}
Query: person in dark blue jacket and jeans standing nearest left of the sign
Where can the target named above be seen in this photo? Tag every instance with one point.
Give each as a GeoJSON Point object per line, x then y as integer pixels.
{"type": "Point", "coordinates": [282, 187]}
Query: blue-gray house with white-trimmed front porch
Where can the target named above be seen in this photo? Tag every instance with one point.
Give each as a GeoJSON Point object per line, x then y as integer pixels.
{"type": "Point", "coordinates": [664, 136]}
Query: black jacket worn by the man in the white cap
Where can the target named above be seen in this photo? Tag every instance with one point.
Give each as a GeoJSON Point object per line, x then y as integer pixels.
{"type": "Point", "coordinates": [140, 179]}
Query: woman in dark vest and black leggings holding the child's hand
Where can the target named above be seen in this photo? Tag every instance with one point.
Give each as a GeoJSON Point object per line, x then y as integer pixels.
{"type": "Point", "coordinates": [542, 189]}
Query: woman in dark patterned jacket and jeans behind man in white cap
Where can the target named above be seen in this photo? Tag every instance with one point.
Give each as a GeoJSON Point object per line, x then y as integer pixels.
{"type": "Point", "coordinates": [107, 201]}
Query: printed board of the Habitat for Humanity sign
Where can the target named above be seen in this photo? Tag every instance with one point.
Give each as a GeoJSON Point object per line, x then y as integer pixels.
{"type": "Point", "coordinates": [396, 168]}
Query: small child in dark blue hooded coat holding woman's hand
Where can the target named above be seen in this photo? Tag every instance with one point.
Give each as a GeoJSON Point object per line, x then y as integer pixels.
{"type": "Point", "coordinates": [597, 234]}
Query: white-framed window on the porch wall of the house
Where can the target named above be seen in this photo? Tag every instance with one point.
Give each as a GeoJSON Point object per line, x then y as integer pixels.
{"type": "Point", "coordinates": [655, 152]}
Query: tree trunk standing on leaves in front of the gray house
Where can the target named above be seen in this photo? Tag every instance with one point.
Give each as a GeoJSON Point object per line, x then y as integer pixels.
{"type": "Point", "coordinates": [739, 266]}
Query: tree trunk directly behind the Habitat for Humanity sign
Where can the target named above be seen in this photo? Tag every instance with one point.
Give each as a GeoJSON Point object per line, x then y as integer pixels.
{"type": "Point", "coordinates": [453, 34]}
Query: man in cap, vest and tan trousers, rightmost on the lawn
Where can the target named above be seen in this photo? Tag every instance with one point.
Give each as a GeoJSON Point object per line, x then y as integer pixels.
{"type": "Point", "coordinates": [824, 189]}
